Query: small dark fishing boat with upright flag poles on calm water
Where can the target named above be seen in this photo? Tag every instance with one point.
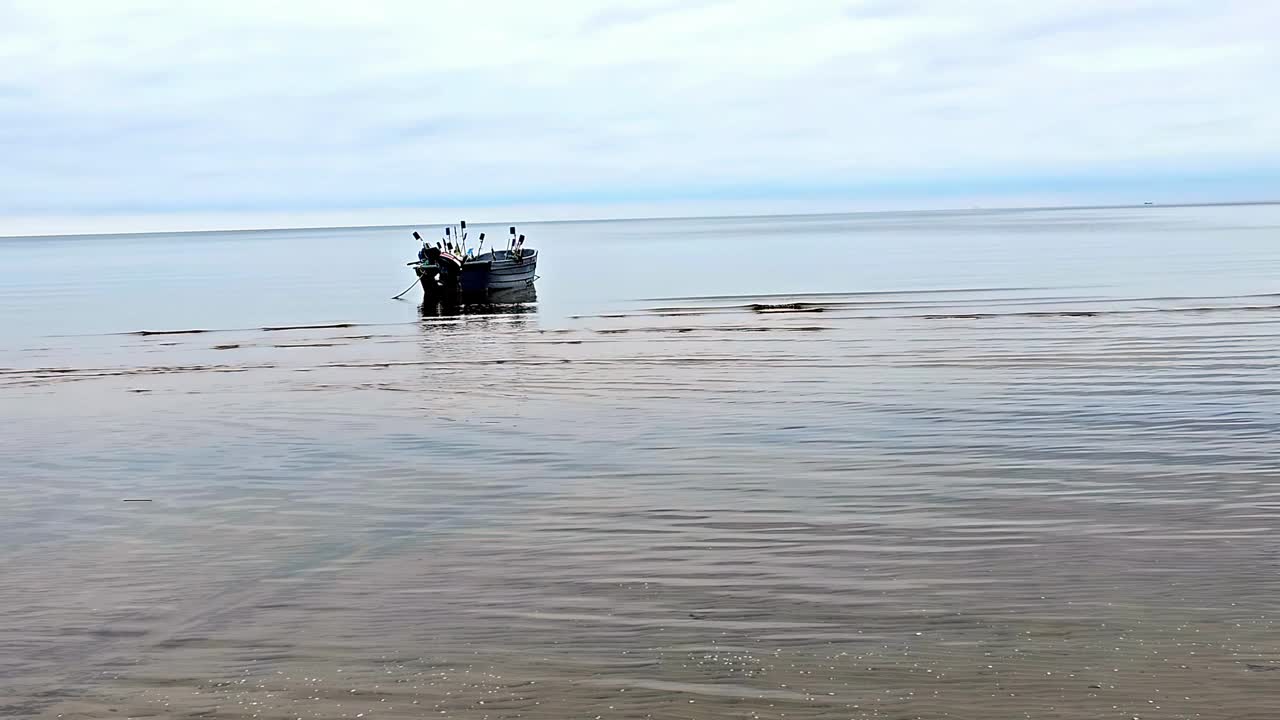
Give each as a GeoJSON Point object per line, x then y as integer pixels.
{"type": "Point", "coordinates": [452, 270]}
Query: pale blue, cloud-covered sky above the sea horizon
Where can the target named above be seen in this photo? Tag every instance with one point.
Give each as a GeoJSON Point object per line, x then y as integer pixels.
{"type": "Point", "coordinates": [153, 115]}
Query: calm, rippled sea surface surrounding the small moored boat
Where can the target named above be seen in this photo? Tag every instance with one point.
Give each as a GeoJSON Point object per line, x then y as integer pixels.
{"type": "Point", "coordinates": [904, 466]}
